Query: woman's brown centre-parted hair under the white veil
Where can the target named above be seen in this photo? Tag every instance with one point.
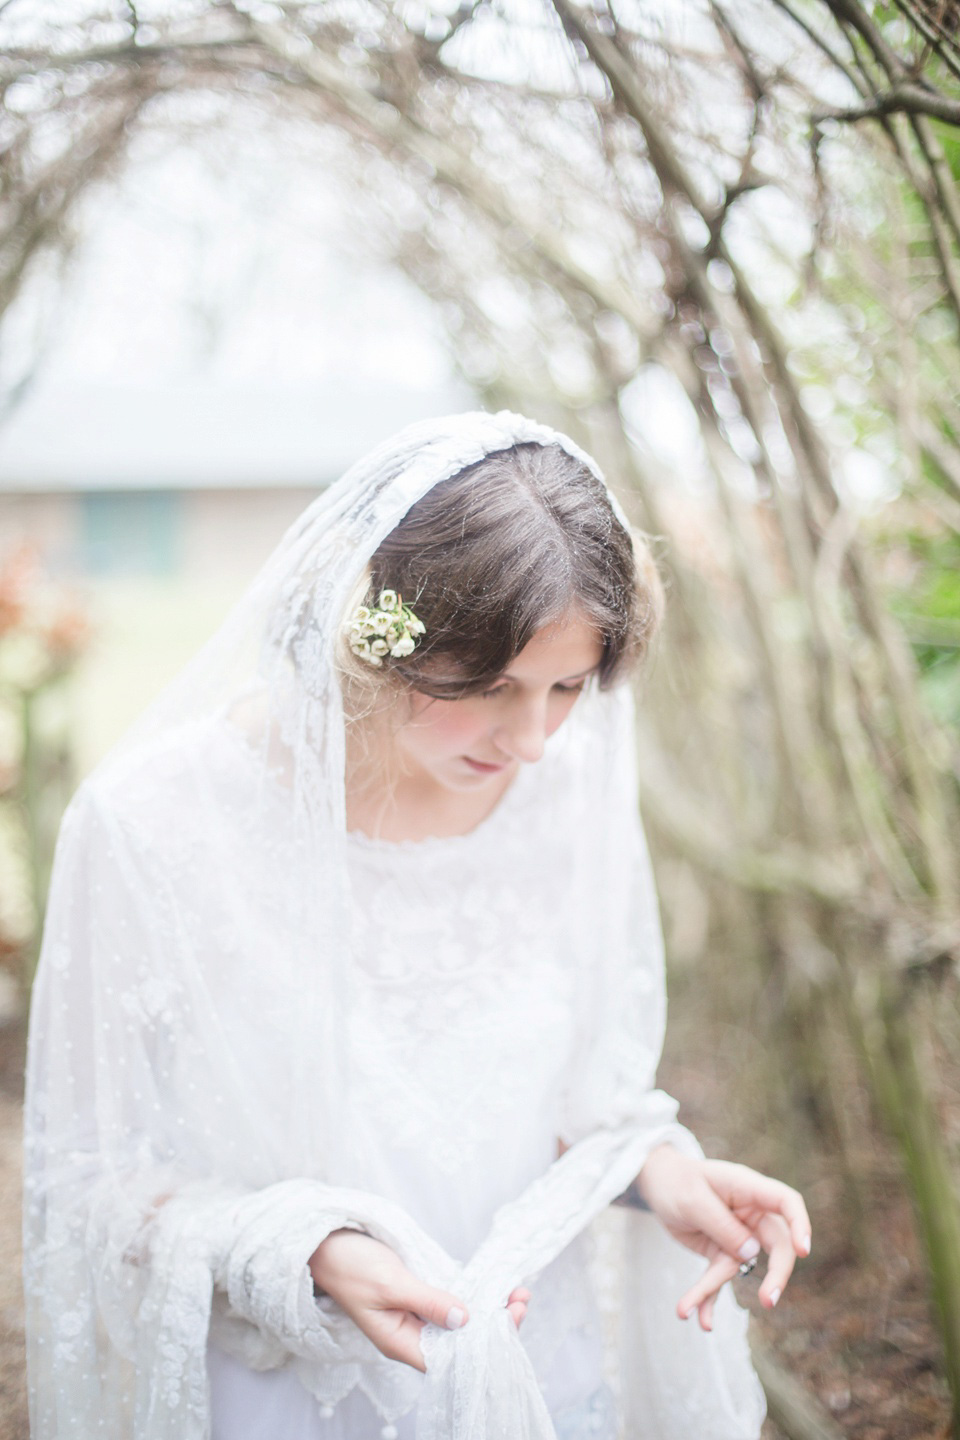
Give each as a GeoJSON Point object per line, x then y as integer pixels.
{"type": "Point", "coordinates": [502, 549]}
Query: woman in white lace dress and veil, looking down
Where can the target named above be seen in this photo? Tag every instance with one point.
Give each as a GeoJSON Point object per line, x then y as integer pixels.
{"type": "Point", "coordinates": [350, 1004]}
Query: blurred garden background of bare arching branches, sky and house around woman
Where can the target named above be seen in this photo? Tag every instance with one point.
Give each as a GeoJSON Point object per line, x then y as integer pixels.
{"type": "Point", "coordinates": [720, 246]}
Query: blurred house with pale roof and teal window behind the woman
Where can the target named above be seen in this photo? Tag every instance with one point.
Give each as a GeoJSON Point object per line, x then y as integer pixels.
{"type": "Point", "coordinates": [184, 485]}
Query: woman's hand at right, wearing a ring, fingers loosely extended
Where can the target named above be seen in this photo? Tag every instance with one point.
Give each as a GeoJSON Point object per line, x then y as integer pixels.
{"type": "Point", "coordinates": [726, 1213]}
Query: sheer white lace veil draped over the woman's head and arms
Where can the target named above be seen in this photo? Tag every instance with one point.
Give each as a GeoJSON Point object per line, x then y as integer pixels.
{"type": "Point", "coordinates": [199, 919]}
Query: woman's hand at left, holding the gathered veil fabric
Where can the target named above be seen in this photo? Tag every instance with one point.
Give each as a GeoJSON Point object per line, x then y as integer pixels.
{"type": "Point", "coordinates": [373, 1287]}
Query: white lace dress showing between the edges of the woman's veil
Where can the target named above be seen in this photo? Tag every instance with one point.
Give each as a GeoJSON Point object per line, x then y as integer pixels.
{"type": "Point", "coordinates": [463, 1036]}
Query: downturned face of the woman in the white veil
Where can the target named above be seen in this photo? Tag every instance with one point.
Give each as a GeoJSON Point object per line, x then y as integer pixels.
{"type": "Point", "coordinates": [468, 744]}
